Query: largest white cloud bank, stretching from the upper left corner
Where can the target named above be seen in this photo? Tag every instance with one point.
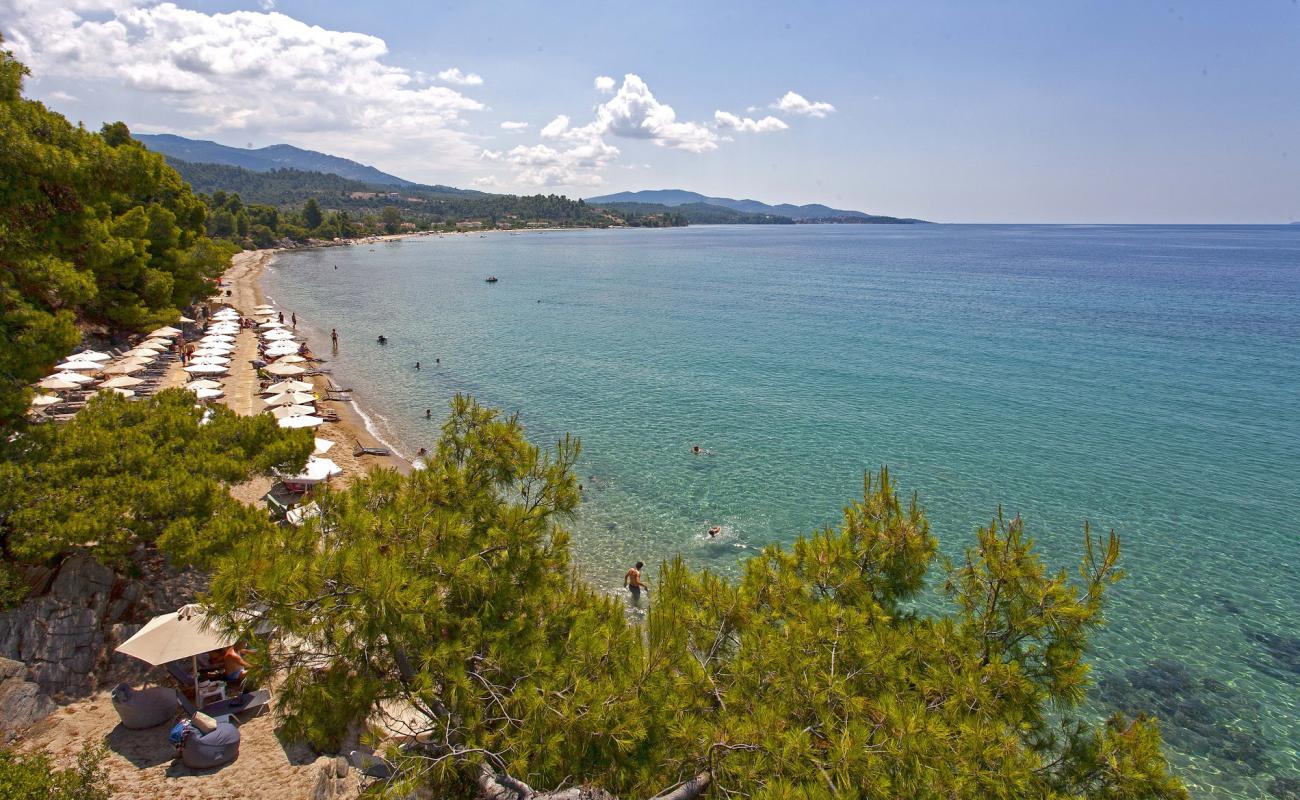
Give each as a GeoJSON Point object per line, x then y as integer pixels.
{"type": "Point", "coordinates": [249, 72]}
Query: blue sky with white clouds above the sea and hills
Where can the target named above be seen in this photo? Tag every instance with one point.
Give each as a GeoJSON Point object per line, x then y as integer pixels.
{"type": "Point", "coordinates": [959, 113]}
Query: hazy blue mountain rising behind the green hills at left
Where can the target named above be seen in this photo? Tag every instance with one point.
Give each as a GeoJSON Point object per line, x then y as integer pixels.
{"type": "Point", "coordinates": [266, 159]}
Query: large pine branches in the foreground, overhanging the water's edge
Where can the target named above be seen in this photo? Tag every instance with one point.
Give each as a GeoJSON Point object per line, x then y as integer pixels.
{"type": "Point", "coordinates": [443, 607]}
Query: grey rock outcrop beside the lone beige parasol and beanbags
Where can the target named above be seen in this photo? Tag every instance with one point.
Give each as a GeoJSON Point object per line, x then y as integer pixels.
{"type": "Point", "coordinates": [67, 632]}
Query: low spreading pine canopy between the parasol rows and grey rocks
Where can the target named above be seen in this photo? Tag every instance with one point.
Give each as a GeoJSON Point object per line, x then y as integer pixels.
{"type": "Point", "coordinates": [123, 474]}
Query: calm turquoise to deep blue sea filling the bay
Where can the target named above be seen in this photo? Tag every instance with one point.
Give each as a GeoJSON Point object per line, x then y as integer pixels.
{"type": "Point", "coordinates": [1141, 378]}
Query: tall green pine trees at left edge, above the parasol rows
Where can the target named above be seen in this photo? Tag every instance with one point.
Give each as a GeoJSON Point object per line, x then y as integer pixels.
{"type": "Point", "coordinates": [94, 228]}
